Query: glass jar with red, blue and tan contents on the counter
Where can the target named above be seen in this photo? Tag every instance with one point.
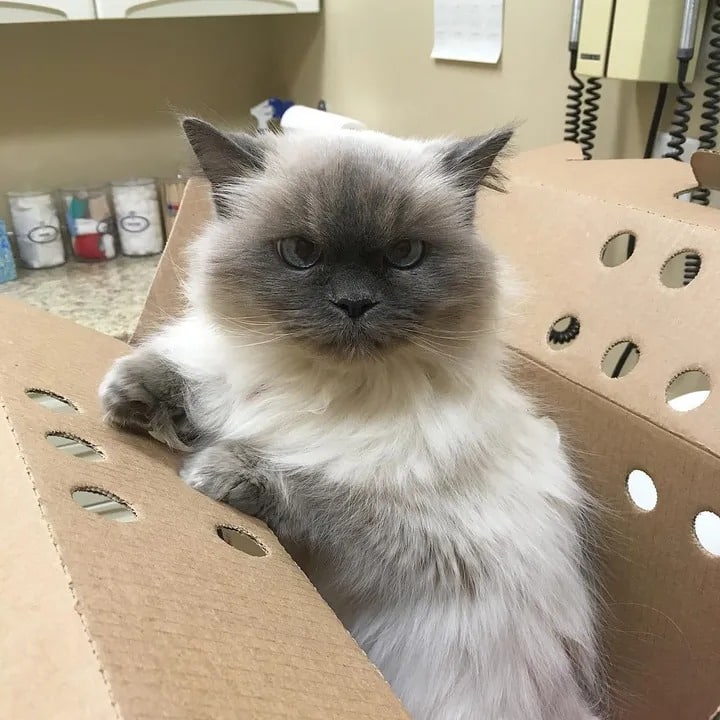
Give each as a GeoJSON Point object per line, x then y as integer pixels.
{"type": "Point", "coordinates": [90, 223]}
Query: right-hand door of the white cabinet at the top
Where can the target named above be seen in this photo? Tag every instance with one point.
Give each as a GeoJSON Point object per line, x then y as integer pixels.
{"type": "Point", "coordinates": [201, 8]}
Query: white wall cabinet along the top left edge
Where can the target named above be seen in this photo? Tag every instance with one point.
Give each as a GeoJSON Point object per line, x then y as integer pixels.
{"type": "Point", "coordinates": [18, 11]}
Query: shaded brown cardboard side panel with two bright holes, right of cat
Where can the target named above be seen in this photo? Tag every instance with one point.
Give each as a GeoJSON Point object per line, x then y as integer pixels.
{"type": "Point", "coordinates": [660, 630]}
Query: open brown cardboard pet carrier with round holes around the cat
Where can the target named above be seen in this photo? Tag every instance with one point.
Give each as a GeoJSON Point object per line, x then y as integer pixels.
{"type": "Point", "coordinates": [193, 611]}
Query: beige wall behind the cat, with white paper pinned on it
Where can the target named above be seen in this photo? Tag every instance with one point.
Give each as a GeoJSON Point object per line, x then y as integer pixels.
{"type": "Point", "coordinates": [86, 102]}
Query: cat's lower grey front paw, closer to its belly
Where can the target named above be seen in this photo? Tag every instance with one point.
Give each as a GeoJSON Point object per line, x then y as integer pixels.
{"type": "Point", "coordinates": [230, 472]}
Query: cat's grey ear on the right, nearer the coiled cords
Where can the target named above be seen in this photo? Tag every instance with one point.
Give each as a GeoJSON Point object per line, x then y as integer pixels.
{"type": "Point", "coordinates": [472, 162]}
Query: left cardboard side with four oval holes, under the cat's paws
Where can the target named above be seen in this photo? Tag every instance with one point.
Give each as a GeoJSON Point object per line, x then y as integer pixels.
{"type": "Point", "coordinates": [173, 621]}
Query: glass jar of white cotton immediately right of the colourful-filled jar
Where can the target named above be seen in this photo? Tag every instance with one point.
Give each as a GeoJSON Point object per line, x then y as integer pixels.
{"type": "Point", "coordinates": [137, 210]}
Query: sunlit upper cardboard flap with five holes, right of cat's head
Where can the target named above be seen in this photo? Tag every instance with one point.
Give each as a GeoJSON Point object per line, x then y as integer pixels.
{"type": "Point", "coordinates": [553, 234]}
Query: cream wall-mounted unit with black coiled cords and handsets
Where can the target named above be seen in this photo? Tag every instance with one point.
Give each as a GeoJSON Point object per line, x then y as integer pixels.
{"type": "Point", "coordinates": [642, 41]}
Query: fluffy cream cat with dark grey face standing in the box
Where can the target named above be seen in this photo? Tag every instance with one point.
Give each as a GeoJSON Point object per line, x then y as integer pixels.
{"type": "Point", "coordinates": [338, 376]}
